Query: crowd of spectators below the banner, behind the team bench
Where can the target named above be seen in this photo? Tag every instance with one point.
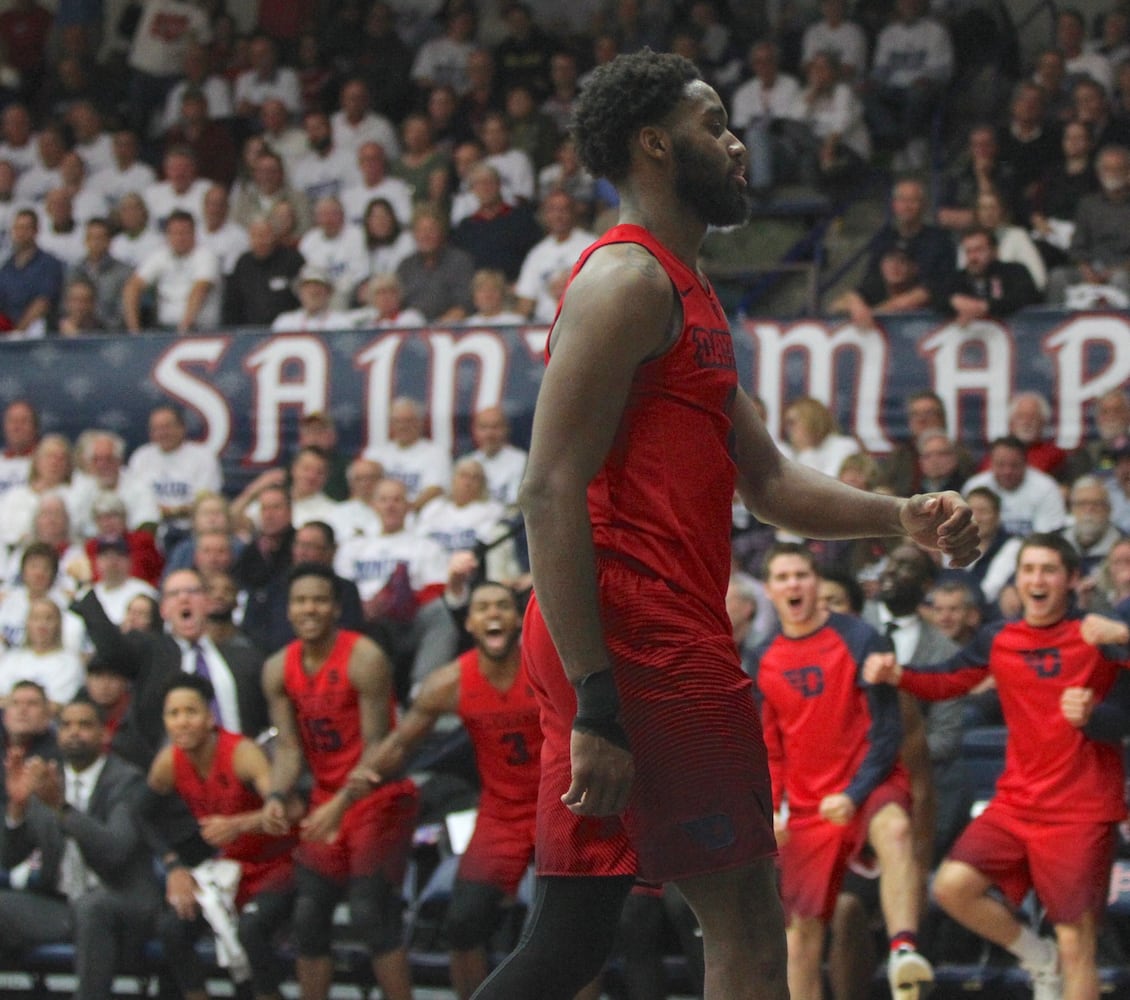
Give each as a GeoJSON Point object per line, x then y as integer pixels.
{"type": "Point", "coordinates": [103, 545]}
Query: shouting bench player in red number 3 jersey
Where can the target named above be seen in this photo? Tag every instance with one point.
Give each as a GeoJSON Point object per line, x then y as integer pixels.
{"type": "Point", "coordinates": [489, 690]}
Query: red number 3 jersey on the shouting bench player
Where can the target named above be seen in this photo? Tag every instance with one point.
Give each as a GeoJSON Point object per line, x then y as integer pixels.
{"type": "Point", "coordinates": [507, 736]}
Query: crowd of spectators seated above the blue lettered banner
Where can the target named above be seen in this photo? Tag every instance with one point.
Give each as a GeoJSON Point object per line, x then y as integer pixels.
{"type": "Point", "coordinates": [192, 185]}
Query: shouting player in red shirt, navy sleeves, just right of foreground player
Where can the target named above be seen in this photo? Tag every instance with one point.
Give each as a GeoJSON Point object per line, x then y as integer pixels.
{"type": "Point", "coordinates": [833, 746]}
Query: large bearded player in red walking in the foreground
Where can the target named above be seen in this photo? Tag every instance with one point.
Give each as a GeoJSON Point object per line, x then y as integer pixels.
{"type": "Point", "coordinates": [641, 434]}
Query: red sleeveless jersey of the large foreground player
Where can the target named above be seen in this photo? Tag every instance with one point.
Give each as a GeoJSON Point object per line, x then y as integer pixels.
{"type": "Point", "coordinates": [663, 498]}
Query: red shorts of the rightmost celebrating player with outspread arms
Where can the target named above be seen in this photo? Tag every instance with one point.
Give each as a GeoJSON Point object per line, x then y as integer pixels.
{"type": "Point", "coordinates": [1067, 864]}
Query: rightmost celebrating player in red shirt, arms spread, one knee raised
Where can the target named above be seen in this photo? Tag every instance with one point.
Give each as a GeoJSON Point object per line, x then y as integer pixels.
{"type": "Point", "coordinates": [1051, 823]}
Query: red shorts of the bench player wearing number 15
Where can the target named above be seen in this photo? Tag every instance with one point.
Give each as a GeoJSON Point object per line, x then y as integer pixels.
{"type": "Point", "coordinates": [376, 837]}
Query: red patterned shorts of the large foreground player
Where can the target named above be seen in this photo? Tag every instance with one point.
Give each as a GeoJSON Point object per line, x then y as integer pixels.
{"type": "Point", "coordinates": [701, 801]}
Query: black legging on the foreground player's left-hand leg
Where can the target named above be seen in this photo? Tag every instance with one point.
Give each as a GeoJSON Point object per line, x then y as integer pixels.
{"type": "Point", "coordinates": [567, 940]}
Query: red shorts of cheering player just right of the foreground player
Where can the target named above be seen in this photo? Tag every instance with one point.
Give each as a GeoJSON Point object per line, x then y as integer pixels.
{"type": "Point", "coordinates": [818, 853]}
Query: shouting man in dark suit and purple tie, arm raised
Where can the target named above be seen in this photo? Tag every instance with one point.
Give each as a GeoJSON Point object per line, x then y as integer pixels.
{"type": "Point", "coordinates": [149, 659]}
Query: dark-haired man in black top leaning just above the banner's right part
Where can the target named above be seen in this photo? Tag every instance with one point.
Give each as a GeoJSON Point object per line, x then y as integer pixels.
{"type": "Point", "coordinates": [987, 289]}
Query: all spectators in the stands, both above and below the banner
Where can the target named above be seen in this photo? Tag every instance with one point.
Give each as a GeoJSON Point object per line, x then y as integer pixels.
{"type": "Point", "coordinates": [376, 169]}
